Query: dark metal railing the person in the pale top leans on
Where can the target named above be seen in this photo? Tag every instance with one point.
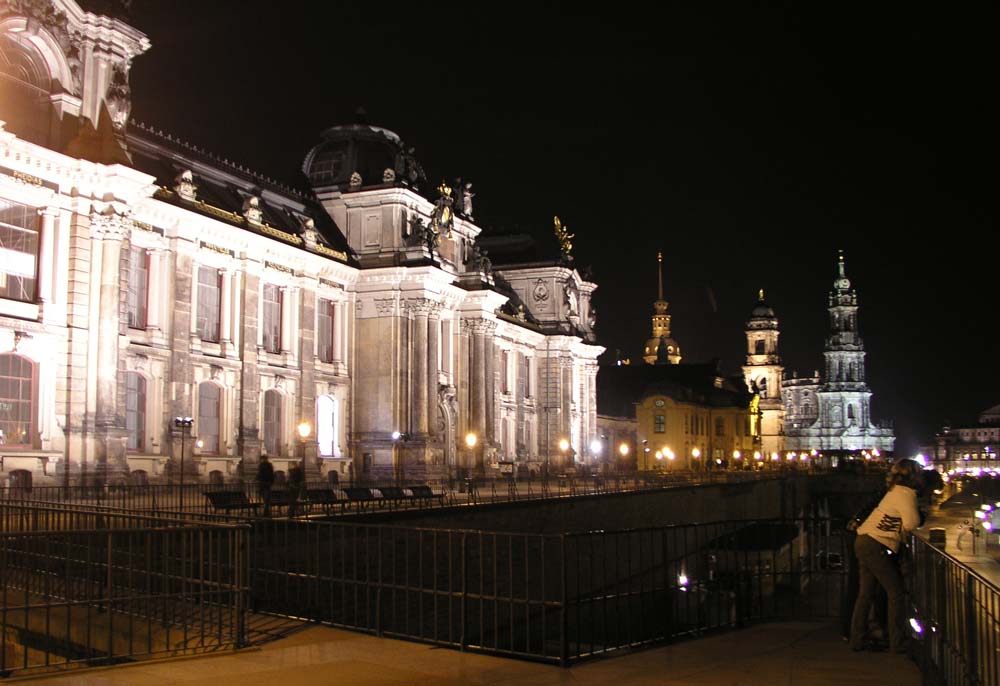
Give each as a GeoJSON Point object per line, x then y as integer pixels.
{"type": "Point", "coordinates": [957, 613]}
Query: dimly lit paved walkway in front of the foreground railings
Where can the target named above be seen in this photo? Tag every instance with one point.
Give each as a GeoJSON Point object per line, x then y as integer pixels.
{"type": "Point", "coordinates": [780, 654]}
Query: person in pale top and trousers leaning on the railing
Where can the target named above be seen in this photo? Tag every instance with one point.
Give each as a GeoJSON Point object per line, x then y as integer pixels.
{"type": "Point", "coordinates": [879, 540]}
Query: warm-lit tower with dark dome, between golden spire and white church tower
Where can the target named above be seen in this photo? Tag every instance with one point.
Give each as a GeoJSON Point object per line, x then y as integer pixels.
{"type": "Point", "coordinates": [763, 373]}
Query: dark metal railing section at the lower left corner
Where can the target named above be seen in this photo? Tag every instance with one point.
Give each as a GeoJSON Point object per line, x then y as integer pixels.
{"type": "Point", "coordinates": [82, 587]}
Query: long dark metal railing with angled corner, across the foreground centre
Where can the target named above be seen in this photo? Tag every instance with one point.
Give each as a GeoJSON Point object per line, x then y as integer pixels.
{"type": "Point", "coordinates": [555, 598]}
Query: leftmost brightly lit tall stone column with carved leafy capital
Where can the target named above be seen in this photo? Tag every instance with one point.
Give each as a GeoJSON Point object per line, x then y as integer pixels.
{"type": "Point", "coordinates": [110, 230]}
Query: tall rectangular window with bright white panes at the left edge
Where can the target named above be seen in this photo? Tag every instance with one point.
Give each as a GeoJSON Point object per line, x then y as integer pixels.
{"type": "Point", "coordinates": [18, 251]}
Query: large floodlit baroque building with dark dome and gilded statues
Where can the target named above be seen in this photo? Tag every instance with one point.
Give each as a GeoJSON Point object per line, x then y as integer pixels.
{"type": "Point", "coordinates": [143, 279]}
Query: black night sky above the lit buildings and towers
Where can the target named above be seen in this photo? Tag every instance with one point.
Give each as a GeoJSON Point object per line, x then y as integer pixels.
{"type": "Point", "coordinates": [748, 146]}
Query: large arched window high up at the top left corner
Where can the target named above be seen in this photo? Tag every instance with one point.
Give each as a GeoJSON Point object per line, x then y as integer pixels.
{"type": "Point", "coordinates": [24, 88]}
